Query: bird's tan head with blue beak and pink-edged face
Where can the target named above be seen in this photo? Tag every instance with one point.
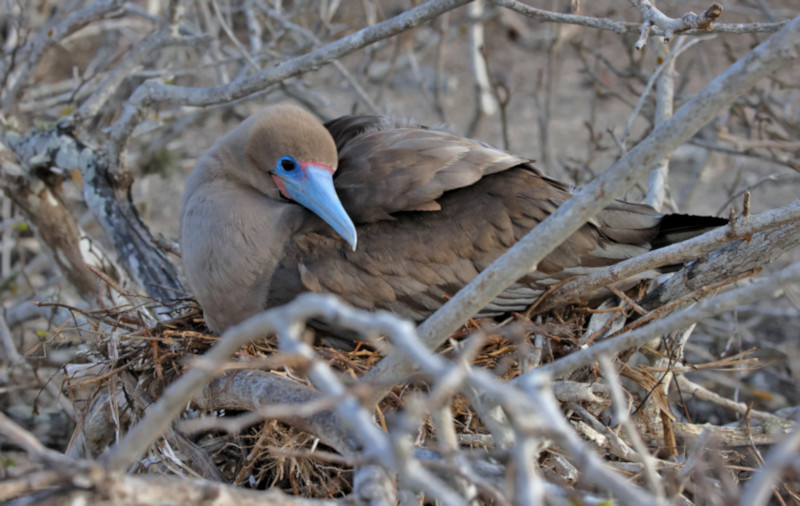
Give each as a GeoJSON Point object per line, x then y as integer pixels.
{"type": "Point", "coordinates": [289, 144]}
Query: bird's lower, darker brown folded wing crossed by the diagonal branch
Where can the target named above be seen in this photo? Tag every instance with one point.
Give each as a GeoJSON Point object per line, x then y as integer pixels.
{"type": "Point", "coordinates": [412, 264]}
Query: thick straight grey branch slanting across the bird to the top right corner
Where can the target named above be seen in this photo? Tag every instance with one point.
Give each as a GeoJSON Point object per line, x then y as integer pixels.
{"type": "Point", "coordinates": [766, 58]}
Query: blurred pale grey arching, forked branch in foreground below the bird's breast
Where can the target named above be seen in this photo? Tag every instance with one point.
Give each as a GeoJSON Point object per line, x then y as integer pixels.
{"type": "Point", "coordinates": [527, 415]}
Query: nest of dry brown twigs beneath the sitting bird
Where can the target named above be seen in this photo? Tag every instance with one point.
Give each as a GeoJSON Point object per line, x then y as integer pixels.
{"type": "Point", "coordinates": [140, 362]}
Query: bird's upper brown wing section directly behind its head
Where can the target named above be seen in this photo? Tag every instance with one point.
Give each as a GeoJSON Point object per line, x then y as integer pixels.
{"type": "Point", "coordinates": [386, 167]}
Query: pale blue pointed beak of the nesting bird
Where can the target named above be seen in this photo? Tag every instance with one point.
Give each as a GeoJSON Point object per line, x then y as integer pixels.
{"type": "Point", "coordinates": [312, 187]}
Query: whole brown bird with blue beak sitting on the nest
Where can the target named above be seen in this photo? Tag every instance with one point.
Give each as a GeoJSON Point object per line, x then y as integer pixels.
{"type": "Point", "coordinates": [419, 213]}
